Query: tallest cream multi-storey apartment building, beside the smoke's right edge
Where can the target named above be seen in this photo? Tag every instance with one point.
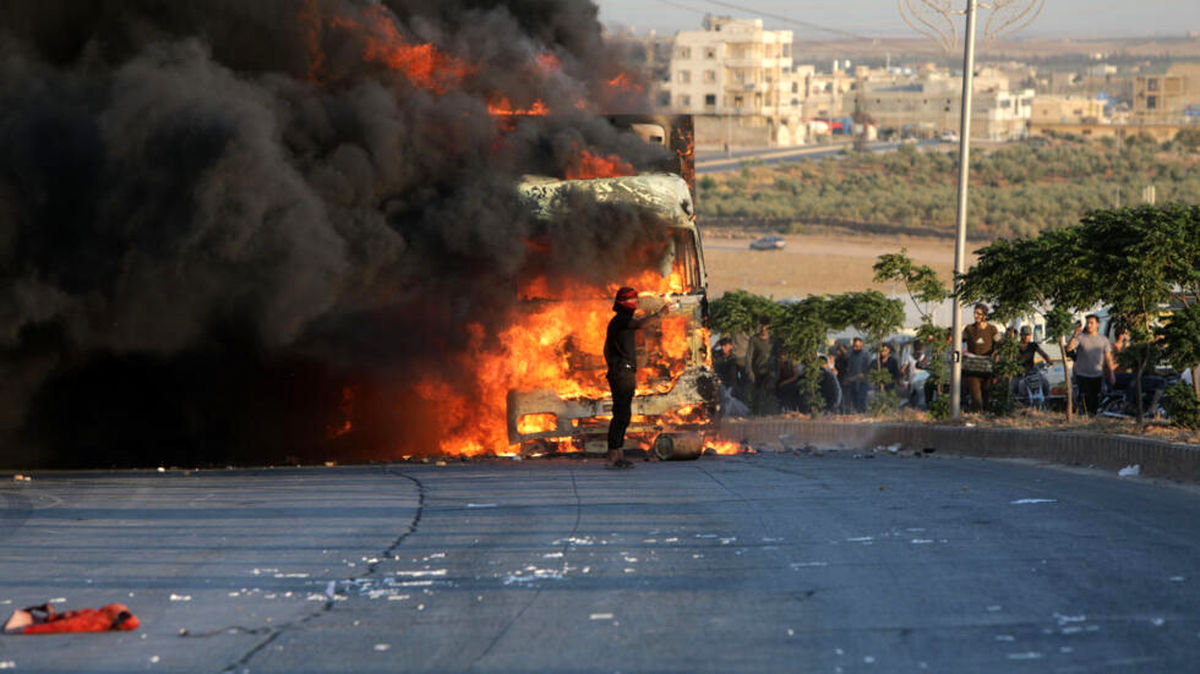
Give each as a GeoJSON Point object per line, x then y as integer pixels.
{"type": "Point", "coordinates": [737, 80]}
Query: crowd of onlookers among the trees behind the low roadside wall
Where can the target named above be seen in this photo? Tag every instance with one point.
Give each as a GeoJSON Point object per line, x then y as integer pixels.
{"type": "Point", "coordinates": [764, 381]}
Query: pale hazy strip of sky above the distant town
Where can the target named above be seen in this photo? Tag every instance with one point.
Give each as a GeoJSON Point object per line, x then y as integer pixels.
{"type": "Point", "coordinates": [1081, 19]}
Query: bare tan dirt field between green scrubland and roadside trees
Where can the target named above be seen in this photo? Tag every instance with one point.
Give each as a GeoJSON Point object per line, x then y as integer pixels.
{"type": "Point", "coordinates": [817, 263]}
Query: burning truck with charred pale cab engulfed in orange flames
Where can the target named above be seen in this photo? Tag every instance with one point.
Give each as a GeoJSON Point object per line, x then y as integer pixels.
{"type": "Point", "coordinates": [676, 399]}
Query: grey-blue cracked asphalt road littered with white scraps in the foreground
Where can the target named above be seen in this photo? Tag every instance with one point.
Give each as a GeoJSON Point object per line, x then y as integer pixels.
{"type": "Point", "coordinates": [764, 563]}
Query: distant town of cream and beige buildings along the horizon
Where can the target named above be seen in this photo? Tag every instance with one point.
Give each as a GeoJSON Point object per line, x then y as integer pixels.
{"type": "Point", "coordinates": [747, 89]}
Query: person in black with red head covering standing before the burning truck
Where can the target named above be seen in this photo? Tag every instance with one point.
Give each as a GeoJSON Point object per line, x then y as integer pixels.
{"type": "Point", "coordinates": [621, 356]}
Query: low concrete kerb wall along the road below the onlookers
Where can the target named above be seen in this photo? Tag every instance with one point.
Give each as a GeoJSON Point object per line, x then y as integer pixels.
{"type": "Point", "coordinates": [1156, 459]}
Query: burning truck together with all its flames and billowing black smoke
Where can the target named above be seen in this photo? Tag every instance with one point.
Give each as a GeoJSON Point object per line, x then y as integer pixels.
{"type": "Point", "coordinates": [298, 230]}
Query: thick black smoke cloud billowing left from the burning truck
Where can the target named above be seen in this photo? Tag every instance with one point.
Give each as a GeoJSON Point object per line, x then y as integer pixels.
{"type": "Point", "coordinates": [219, 219]}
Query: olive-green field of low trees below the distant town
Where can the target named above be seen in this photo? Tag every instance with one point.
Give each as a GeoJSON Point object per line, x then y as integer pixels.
{"type": "Point", "coordinates": [1023, 189]}
